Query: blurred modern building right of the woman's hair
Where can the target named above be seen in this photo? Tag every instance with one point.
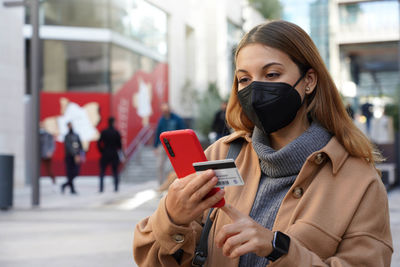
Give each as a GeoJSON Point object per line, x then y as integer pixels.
{"type": "Point", "coordinates": [359, 42]}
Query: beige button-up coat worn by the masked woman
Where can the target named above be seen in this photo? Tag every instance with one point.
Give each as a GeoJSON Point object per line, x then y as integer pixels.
{"type": "Point", "coordinates": [336, 214]}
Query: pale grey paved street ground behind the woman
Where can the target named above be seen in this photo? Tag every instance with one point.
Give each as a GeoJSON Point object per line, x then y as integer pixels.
{"type": "Point", "coordinates": [92, 229]}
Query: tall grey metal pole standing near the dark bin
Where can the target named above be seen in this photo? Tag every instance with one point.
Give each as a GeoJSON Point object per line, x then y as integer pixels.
{"type": "Point", "coordinates": [35, 96]}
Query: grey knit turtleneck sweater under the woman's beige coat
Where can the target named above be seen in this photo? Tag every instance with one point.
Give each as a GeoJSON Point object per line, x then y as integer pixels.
{"type": "Point", "coordinates": [279, 170]}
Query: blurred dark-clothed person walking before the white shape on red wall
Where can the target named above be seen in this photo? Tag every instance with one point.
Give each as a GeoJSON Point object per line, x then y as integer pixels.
{"type": "Point", "coordinates": [74, 156]}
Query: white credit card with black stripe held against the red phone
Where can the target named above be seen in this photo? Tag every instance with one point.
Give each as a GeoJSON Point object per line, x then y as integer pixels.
{"type": "Point", "coordinates": [225, 170]}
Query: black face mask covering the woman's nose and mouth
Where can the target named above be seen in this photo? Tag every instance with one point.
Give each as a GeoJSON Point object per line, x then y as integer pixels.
{"type": "Point", "coordinates": [270, 105]}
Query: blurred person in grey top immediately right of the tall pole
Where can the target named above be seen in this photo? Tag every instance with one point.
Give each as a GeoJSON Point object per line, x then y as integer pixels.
{"type": "Point", "coordinates": [47, 147]}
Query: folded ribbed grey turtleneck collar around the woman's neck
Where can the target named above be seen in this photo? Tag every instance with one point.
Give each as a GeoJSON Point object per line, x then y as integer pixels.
{"type": "Point", "coordinates": [289, 160]}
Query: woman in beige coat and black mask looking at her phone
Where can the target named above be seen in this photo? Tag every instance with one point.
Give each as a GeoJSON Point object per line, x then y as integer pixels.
{"type": "Point", "coordinates": [312, 196]}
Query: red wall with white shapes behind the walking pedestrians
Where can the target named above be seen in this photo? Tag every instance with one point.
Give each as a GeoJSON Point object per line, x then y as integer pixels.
{"type": "Point", "coordinates": [136, 106]}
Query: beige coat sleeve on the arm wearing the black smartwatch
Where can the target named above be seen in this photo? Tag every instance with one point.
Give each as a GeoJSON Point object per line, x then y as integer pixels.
{"type": "Point", "coordinates": [367, 241]}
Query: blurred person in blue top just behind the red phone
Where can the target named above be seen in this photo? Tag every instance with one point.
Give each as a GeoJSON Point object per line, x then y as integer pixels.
{"type": "Point", "coordinates": [169, 121]}
